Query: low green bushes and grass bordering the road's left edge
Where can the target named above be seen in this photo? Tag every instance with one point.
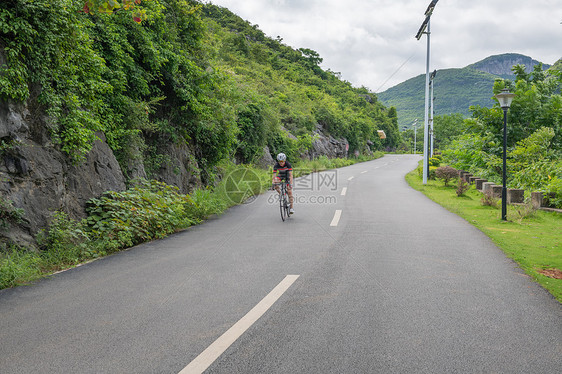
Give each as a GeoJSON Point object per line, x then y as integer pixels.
{"type": "Point", "coordinates": [149, 210]}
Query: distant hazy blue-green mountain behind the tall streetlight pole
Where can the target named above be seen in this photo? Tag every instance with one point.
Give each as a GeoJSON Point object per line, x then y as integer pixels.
{"type": "Point", "coordinates": [455, 90]}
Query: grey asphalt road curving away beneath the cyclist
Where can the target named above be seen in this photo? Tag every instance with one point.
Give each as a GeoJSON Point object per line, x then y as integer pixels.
{"type": "Point", "coordinates": [396, 285]}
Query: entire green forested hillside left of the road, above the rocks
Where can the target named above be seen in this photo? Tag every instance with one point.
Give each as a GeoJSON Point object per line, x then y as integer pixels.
{"type": "Point", "coordinates": [189, 73]}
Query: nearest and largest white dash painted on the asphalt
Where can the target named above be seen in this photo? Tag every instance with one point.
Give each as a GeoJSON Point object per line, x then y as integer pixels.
{"type": "Point", "coordinates": [209, 355]}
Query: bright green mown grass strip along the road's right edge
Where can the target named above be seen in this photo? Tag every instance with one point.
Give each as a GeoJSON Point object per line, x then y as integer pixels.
{"type": "Point", "coordinates": [531, 238]}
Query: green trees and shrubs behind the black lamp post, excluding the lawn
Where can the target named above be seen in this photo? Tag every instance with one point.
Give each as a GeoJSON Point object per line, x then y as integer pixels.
{"type": "Point", "coordinates": [534, 136]}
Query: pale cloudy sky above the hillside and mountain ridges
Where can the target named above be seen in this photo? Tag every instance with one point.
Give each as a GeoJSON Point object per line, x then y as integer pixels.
{"type": "Point", "coordinates": [372, 42]}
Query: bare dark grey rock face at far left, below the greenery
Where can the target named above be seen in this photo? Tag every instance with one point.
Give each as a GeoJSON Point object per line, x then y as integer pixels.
{"type": "Point", "coordinates": [39, 179]}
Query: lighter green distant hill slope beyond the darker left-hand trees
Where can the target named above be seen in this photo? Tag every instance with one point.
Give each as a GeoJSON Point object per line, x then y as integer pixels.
{"type": "Point", "coordinates": [290, 88]}
